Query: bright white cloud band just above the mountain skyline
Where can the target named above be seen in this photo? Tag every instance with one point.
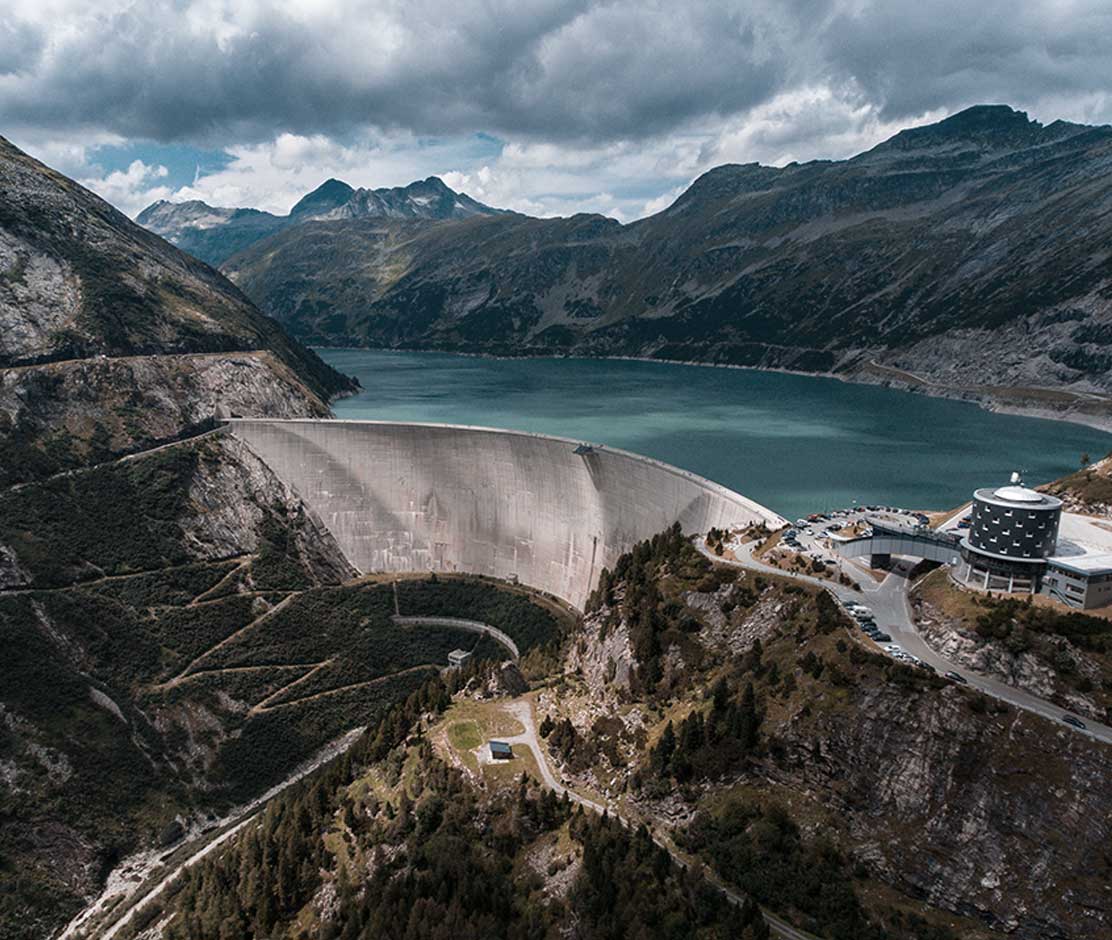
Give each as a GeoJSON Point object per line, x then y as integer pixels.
{"type": "Point", "coordinates": [625, 180]}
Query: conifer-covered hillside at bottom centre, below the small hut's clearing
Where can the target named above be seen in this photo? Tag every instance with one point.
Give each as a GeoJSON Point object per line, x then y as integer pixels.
{"type": "Point", "coordinates": [392, 843]}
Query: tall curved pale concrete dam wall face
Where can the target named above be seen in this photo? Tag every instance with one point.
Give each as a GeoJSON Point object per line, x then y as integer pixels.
{"type": "Point", "coordinates": [405, 498]}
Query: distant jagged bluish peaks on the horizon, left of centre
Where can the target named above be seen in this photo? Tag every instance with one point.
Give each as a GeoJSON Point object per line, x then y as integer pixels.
{"type": "Point", "coordinates": [215, 233]}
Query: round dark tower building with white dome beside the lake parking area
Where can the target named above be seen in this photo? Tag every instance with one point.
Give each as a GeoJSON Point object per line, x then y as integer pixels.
{"type": "Point", "coordinates": [1014, 531]}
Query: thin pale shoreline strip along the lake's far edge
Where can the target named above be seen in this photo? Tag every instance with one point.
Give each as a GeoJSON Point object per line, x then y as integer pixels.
{"type": "Point", "coordinates": [994, 405]}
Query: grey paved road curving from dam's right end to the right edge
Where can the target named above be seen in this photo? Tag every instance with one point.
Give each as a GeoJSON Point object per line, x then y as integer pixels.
{"type": "Point", "coordinates": [889, 602]}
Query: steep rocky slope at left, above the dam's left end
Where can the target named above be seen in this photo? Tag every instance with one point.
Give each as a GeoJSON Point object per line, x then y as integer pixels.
{"type": "Point", "coordinates": [113, 341]}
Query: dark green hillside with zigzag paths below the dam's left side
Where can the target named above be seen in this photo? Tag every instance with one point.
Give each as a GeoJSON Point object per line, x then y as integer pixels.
{"type": "Point", "coordinates": [182, 634]}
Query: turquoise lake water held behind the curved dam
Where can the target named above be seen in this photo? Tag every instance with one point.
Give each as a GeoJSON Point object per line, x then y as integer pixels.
{"type": "Point", "coordinates": [793, 443]}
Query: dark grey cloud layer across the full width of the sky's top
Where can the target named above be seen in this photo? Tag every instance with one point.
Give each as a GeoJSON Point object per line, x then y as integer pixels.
{"type": "Point", "coordinates": [562, 70]}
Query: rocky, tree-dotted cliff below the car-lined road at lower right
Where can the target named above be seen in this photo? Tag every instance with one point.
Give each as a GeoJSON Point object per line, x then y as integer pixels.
{"type": "Point", "coordinates": [932, 794]}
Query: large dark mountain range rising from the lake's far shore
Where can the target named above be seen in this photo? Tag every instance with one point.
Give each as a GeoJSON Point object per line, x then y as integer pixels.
{"type": "Point", "coordinates": [969, 259]}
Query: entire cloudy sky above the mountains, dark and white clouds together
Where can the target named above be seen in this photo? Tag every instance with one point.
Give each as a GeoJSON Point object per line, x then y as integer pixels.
{"type": "Point", "coordinates": [549, 107]}
